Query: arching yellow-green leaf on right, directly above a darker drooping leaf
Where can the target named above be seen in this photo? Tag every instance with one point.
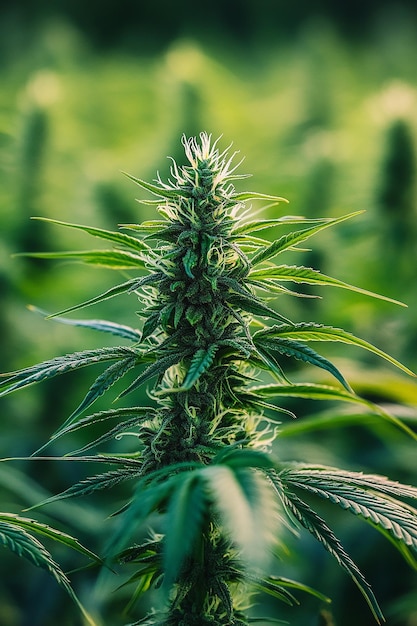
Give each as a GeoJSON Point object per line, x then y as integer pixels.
{"type": "Point", "coordinates": [318, 332]}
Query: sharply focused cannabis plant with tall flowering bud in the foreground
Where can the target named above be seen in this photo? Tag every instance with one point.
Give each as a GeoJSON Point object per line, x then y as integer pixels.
{"type": "Point", "coordinates": [212, 354]}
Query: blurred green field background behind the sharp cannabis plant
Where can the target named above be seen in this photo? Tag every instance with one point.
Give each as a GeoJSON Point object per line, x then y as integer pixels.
{"type": "Point", "coordinates": [321, 100]}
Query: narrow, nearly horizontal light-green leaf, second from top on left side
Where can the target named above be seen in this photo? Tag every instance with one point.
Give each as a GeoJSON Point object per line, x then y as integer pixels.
{"type": "Point", "coordinates": [113, 259]}
